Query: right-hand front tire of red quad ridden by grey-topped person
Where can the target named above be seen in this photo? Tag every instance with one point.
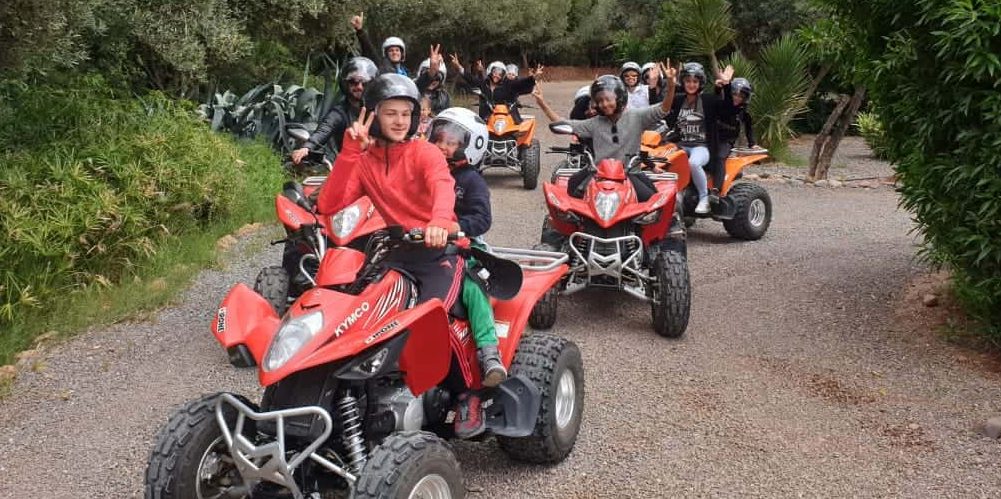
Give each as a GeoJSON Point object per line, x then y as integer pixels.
{"type": "Point", "coordinates": [672, 294]}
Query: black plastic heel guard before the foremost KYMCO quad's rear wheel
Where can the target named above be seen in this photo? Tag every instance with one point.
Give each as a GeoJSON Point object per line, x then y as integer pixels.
{"type": "Point", "coordinates": [513, 409]}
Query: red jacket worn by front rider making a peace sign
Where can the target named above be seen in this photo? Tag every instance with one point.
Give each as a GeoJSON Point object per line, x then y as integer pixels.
{"type": "Point", "coordinates": [409, 182]}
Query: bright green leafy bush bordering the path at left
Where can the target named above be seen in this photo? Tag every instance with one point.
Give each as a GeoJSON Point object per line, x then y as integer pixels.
{"type": "Point", "coordinates": [92, 187]}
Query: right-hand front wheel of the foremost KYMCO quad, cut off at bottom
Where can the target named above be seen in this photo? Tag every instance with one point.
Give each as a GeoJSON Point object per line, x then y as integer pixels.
{"type": "Point", "coordinates": [411, 464]}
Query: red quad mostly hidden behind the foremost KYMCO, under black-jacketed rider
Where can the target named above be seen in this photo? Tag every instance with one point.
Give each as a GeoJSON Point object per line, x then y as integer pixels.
{"type": "Point", "coordinates": [308, 237]}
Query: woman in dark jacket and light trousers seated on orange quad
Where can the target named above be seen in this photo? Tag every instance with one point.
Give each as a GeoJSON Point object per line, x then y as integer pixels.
{"type": "Point", "coordinates": [697, 114]}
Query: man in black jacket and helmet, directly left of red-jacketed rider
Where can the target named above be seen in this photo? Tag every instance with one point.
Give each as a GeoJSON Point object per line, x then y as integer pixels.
{"type": "Point", "coordinates": [355, 76]}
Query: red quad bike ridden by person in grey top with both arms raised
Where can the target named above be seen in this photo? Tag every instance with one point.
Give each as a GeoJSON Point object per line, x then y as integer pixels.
{"type": "Point", "coordinates": [615, 241]}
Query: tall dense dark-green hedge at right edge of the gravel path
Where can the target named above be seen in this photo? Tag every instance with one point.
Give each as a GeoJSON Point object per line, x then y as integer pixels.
{"type": "Point", "coordinates": [933, 71]}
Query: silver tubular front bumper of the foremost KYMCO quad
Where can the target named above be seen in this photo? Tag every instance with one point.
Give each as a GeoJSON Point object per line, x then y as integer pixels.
{"type": "Point", "coordinates": [272, 461]}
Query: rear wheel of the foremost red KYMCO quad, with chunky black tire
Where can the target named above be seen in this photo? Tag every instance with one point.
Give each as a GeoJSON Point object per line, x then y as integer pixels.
{"type": "Point", "coordinates": [554, 364]}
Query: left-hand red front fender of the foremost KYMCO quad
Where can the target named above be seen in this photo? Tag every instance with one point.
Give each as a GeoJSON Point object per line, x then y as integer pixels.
{"type": "Point", "coordinates": [246, 318]}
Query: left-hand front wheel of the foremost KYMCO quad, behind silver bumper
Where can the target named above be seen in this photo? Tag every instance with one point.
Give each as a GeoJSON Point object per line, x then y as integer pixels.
{"type": "Point", "coordinates": [190, 447]}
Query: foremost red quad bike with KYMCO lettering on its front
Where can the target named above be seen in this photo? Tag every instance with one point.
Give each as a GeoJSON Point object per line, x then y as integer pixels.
{"type": "Point", "coordinates": [362, 386]}
